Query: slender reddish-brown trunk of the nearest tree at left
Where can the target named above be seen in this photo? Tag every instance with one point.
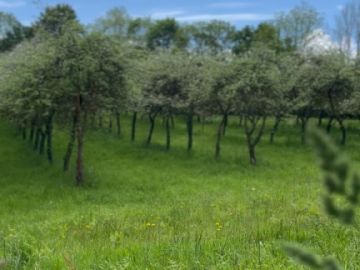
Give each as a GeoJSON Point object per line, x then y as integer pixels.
{"type": "Point", "coordinates": [80, 142]}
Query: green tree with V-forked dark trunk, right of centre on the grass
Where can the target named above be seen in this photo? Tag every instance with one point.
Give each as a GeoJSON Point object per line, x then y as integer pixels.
{"type": "Point", "coordinates": [256, 92]}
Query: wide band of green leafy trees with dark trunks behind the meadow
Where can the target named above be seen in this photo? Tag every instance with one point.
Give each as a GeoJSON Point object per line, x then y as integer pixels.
{"type": "Point", "coordinates": [60, 71]}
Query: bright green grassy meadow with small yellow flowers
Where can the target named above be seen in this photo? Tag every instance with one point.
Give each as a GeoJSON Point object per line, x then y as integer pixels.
{"type": "Point", "coordinates": [146, 208]}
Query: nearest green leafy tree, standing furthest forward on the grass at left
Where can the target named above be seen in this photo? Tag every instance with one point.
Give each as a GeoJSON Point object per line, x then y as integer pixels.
{"type": "Point", "coordinates": [95, 78]}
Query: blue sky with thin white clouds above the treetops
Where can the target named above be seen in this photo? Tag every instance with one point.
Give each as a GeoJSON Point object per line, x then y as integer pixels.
{"type": "Point", "coordinates": [241, 12]}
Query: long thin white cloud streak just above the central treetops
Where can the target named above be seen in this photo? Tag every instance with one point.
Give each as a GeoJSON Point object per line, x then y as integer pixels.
{"type": "Point", "coordinates": [232, 17]}
